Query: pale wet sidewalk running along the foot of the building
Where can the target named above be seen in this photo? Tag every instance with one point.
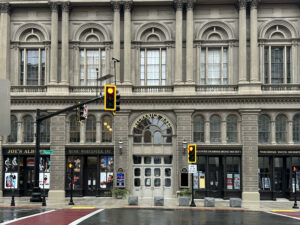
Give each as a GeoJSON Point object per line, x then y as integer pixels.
{"type": "Point", "coordinates": [97, 202]}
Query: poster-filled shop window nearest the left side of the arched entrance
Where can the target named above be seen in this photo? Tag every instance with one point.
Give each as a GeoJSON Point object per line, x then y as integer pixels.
{"type": "Point", "coordinates": [106, 172]}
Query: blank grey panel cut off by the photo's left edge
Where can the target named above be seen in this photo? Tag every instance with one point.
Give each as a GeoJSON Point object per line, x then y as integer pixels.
{"type": "Point", "coordinates": [5, 107]}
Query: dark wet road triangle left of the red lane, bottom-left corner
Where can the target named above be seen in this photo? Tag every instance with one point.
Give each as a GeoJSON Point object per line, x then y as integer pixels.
{"type": "Point", "coordinates": [7, 214]}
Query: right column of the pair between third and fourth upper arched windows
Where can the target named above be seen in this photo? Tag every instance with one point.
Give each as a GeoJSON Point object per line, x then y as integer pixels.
{"type": "Point", "coordinates": [189, 42]}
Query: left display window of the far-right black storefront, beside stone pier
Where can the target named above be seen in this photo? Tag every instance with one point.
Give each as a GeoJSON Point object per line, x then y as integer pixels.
{"type": "Point", "coordinates": [264, 173]}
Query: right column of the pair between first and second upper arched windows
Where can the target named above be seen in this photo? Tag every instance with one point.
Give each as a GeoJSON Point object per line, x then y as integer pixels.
{"type": "Point", "coordinates": [65, 44]}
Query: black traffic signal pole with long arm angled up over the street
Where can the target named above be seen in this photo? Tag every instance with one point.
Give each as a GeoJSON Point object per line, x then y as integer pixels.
{"type": "Point", "coordinates": [36, 193]}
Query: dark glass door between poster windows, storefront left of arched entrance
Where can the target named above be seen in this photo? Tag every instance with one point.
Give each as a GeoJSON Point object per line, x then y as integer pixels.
{"type": "Point", "coordinates": [90, 181]}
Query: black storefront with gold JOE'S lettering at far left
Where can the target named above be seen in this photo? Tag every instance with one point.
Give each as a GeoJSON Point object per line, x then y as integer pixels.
{"type": "Point", "coordinates": [18, 171]}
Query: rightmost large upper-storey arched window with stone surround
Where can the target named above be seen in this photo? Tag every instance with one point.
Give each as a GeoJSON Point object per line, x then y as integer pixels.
{"type": "Point", "coordinates": [276, 51]}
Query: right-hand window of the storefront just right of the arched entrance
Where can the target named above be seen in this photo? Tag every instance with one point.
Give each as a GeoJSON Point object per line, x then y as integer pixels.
{"type": "Point", "coordinates": [233, 176]}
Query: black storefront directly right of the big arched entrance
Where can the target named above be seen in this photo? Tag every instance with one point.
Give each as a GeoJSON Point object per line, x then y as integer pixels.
{"type": "Point", "coordinates": [219, 174]}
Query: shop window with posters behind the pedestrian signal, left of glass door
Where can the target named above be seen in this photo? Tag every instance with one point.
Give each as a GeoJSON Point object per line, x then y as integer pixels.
{"type": "Point", "coordinates": [77, 172]}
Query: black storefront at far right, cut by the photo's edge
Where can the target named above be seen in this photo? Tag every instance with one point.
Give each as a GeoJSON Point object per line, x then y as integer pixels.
{"type": "Point", "coordinates": [275, 174]}
